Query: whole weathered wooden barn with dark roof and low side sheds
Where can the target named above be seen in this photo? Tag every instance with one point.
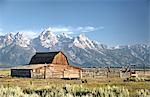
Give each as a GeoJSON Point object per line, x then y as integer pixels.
{"type": "Point", "coordinates": [48, 65]}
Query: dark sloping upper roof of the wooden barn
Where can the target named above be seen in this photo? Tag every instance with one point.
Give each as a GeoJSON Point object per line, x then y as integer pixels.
{"type": "Point", "coordinates": [43, 57]}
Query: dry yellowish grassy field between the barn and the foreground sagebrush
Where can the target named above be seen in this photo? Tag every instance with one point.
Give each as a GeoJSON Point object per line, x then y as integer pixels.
{"type": "Point", "coordinates": [30, 83]}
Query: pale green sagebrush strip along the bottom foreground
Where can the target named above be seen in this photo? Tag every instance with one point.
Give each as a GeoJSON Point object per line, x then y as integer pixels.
{"type": "Point", "coordinates": [70, 91]}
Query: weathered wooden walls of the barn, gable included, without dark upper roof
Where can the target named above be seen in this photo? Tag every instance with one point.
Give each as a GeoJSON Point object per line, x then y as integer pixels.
{"type": "Point", "coordinates": [59, 68]}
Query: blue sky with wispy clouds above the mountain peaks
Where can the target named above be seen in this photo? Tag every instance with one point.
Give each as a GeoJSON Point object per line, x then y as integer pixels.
{"type": "Point", "coordinates": [112, 22]}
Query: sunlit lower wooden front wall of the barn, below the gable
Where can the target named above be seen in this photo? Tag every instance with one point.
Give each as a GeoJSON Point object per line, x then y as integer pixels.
{"type": "Point", "coordinates": [57, 71]}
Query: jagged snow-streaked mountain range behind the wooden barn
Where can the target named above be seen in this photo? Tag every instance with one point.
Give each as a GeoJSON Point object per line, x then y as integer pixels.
{"type": "Point", "coordinates": [17, 49]}
